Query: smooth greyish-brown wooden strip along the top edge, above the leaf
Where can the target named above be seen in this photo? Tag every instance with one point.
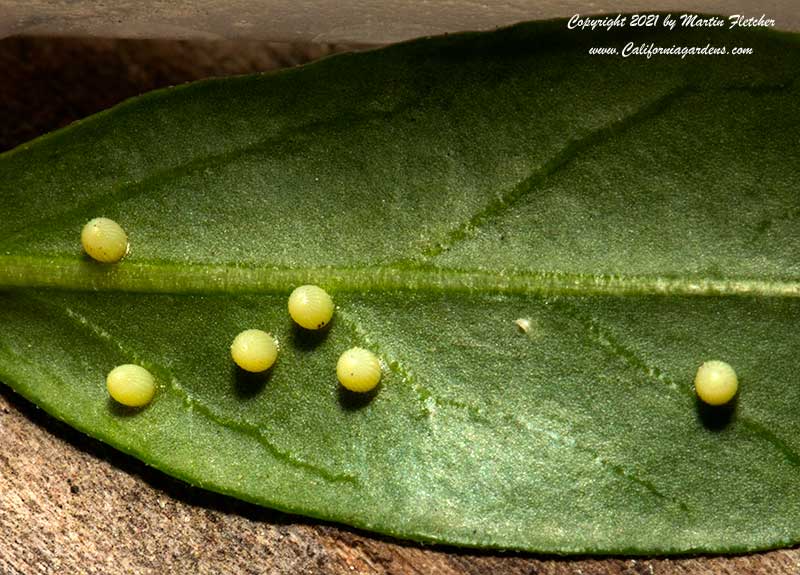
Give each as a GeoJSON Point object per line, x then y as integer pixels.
{"type": "Point", "coordinates": [369, 21]}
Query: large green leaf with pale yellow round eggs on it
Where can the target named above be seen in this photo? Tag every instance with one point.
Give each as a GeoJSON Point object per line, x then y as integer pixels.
{"type": "Point", "coordinates": [641, 214]}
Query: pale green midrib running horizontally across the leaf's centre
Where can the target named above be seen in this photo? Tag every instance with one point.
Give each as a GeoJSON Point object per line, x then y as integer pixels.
{"type": "Point", "coordinates": [186, 278]}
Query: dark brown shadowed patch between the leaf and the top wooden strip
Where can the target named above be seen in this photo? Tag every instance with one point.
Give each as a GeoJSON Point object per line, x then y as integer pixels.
{"type": "Point", "coordinates": [49, 82]}
